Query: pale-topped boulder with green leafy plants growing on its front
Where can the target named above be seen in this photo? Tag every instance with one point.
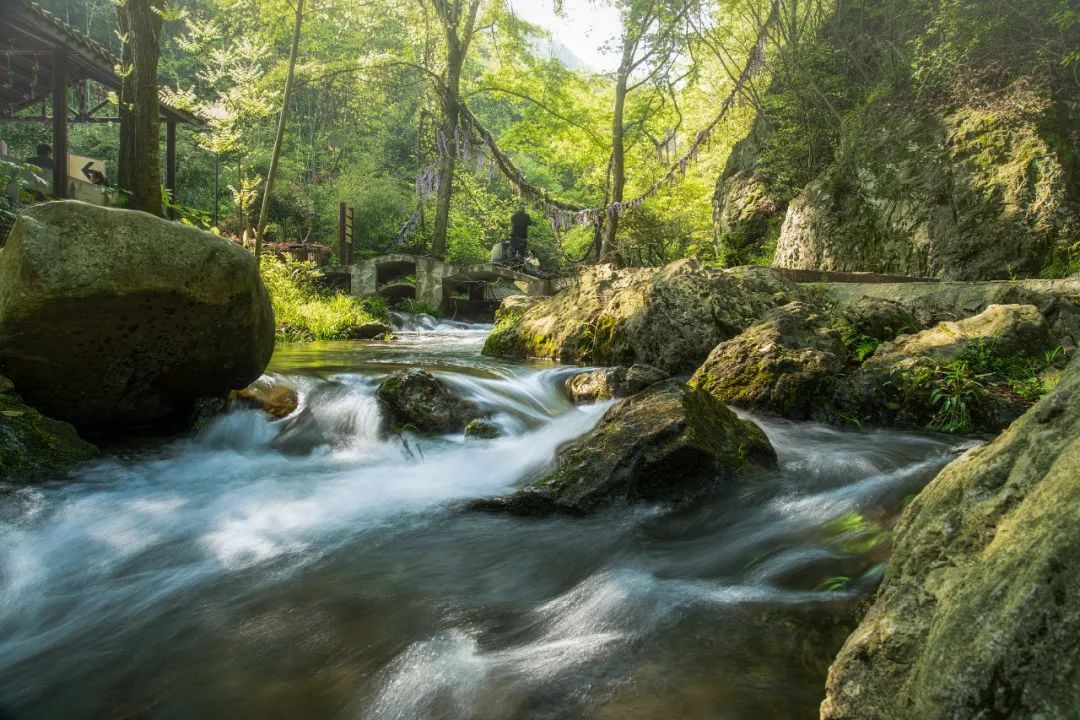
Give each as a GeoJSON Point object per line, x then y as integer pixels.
{"type": "Point", "coordinates": [941, 377]}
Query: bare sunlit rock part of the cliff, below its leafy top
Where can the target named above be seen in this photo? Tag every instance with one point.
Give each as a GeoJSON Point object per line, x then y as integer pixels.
{"type": "Point", "coordinates": [971, 194]}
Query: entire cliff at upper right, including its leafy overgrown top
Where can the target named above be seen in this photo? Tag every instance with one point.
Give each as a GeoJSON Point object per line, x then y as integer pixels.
{"type": "Point", "coordinates": [933, 145]}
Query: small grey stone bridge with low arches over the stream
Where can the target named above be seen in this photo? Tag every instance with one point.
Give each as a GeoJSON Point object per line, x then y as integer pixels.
{"type": "Point", "coordinates": [441, 284]}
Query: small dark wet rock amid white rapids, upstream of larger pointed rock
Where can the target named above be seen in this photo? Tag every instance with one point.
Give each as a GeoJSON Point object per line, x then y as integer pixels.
{"type": "Point", "coordinates": [418, 399]}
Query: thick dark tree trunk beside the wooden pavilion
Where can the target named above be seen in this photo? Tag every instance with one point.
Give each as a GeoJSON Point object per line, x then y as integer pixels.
{"type": "Point", "coordinates": [140, 171]}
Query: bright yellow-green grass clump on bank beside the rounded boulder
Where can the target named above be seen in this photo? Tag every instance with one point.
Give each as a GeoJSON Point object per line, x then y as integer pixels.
{"type": "Point", "coordinates": [305, 314]}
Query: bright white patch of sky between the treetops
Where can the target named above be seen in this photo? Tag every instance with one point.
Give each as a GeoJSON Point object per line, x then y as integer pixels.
{"type": "Point", "coordinates": [586, 28]}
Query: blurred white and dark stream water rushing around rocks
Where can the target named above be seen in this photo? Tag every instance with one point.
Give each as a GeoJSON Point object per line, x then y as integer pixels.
{"type": "Point", "coordinates": [306, 568]}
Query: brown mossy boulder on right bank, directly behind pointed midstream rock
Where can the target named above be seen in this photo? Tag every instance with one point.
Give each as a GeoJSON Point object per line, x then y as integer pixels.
{"type": "Point", "coordinates": [785, 365]}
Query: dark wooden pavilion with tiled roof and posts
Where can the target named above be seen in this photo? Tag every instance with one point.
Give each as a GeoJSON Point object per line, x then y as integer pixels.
{"type": "Point", "coordinates": [43, 58]}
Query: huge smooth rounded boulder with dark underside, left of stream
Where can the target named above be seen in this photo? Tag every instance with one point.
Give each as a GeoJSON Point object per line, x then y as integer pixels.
{"type": "Point", "coordinates": [114, 319]}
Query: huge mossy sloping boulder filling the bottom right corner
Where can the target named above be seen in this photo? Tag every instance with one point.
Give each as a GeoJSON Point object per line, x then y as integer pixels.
{"type": "Point", "coordinates": [979, 614]}
